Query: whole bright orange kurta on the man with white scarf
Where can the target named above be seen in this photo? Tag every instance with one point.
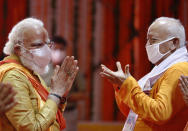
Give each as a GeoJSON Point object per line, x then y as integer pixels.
{"type": "Point", "coordinates": [164, 109]}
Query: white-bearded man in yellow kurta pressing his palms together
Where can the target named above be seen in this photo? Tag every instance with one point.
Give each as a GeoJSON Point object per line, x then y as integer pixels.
{"type": "Point", "coordinates": [28, 55]}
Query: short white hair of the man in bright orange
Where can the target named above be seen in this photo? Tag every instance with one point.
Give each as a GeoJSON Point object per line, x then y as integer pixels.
{"type": "Point", "coordinates": [174, 27]}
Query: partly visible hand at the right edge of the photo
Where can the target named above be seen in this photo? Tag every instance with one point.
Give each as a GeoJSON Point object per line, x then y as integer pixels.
{"type": "Point", "coordinates": [184, 87]}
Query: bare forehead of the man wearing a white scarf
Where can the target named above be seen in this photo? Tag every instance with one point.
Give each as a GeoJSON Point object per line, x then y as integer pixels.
{"type": "Point", "coordinates": [158, 29]}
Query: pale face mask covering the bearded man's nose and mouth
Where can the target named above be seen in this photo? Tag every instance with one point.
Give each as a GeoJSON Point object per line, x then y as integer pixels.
{"type": "Point", "coordinates": [36, 59]}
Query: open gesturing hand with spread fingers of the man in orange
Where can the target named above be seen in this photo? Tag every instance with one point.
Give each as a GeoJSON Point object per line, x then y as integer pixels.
{"type": "Point", "coordinates": [117, 77]}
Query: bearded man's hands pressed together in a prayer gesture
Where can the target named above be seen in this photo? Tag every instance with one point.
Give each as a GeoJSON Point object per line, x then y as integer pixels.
{"type": "Point", "coordinates": [64, 76]}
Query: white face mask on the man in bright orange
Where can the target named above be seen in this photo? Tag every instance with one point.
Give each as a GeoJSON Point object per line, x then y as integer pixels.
{"type": "Point", "coordinates": [154, 55]}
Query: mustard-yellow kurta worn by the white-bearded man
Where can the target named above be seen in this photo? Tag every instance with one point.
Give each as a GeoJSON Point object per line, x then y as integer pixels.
{"type": "Point", "coordinates": [30, 113]}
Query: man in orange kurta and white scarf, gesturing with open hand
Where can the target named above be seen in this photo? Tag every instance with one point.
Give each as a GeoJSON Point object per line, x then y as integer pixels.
{"type": "Point", "coordinates": [155, 101]}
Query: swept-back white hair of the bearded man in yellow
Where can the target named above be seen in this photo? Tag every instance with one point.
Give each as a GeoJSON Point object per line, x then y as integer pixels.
{"type": "Point", "coordinates": [17, 33]}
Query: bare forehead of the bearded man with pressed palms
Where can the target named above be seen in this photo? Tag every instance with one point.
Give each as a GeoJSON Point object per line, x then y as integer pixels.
{"type": "Point", "coordinates": [35, 33]}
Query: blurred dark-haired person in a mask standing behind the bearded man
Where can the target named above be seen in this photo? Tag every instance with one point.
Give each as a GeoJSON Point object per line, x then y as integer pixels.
{"type": "Point", "coordinates": [58, 51]}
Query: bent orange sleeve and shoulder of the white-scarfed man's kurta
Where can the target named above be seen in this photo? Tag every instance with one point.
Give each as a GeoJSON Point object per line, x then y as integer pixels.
{"type": "Point", "coordinates": [161, 105]}
